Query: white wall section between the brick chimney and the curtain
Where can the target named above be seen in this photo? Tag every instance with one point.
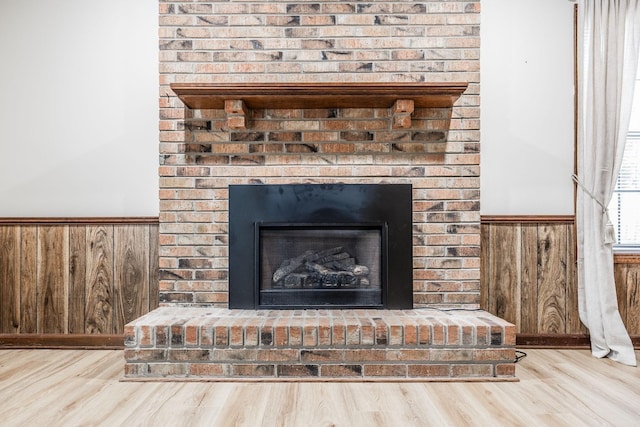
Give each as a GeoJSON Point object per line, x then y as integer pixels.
{"type": "Point", "coordinates": [527, 113]}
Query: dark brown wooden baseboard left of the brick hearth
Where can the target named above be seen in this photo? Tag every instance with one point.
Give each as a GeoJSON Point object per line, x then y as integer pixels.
{"type": "Point", "coordinates": [62, 341]}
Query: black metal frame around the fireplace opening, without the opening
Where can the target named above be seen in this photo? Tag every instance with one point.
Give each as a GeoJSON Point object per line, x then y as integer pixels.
{"type": "Point", "coordinates": [349, 205]}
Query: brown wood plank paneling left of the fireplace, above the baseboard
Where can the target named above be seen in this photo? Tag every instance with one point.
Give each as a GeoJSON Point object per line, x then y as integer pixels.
{"type": "Point", "coordinates": [76, 278]}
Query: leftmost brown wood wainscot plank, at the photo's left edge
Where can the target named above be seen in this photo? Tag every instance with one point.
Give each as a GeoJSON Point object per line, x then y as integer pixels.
{"type": "Point", "coordinates": [9, 280]}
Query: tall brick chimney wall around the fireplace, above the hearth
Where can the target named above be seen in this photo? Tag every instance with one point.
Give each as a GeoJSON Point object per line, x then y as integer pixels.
{"type": "Point", "coordinates": [325, 41]}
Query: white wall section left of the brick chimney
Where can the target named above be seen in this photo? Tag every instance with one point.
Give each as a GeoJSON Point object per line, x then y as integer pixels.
{"type": "Point", "coordinates": [78, 108]}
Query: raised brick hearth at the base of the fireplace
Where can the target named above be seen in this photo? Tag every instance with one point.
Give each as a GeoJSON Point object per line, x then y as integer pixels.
{"type": "Point", "coordinates": [220, 344]}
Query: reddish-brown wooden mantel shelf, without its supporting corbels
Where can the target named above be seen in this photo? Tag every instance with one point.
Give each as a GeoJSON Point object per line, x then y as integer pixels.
{"type": "Point", "coordinates": [318, 95]}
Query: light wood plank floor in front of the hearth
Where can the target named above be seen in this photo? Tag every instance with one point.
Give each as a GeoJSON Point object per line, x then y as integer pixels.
{"type": "Point", "coordinates": [82, 387]}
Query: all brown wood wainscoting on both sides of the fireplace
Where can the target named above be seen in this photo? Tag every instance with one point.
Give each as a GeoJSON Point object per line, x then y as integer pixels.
{"type": "Point", "coordinates": [78, 282]}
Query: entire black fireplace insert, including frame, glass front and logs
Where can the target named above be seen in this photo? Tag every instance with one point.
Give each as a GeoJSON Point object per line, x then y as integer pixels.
{"type": "Point", "coordinates": [320, 246]}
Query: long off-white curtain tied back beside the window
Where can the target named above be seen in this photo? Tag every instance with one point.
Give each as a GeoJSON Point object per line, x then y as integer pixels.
{"type": "Point", "coordinates": [609, 40]}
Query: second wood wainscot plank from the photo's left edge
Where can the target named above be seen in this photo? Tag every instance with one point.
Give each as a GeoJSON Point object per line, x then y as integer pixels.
{"type": "Point", "coordinates": [28, 279]}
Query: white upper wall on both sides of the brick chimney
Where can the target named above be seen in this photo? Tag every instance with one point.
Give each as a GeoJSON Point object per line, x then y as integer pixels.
{"type": "Point", "coordinates": [78, 111]}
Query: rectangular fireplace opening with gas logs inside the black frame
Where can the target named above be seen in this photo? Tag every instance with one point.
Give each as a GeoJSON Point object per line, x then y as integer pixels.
{"type": "Point", "coordinates": [318, 265]}
